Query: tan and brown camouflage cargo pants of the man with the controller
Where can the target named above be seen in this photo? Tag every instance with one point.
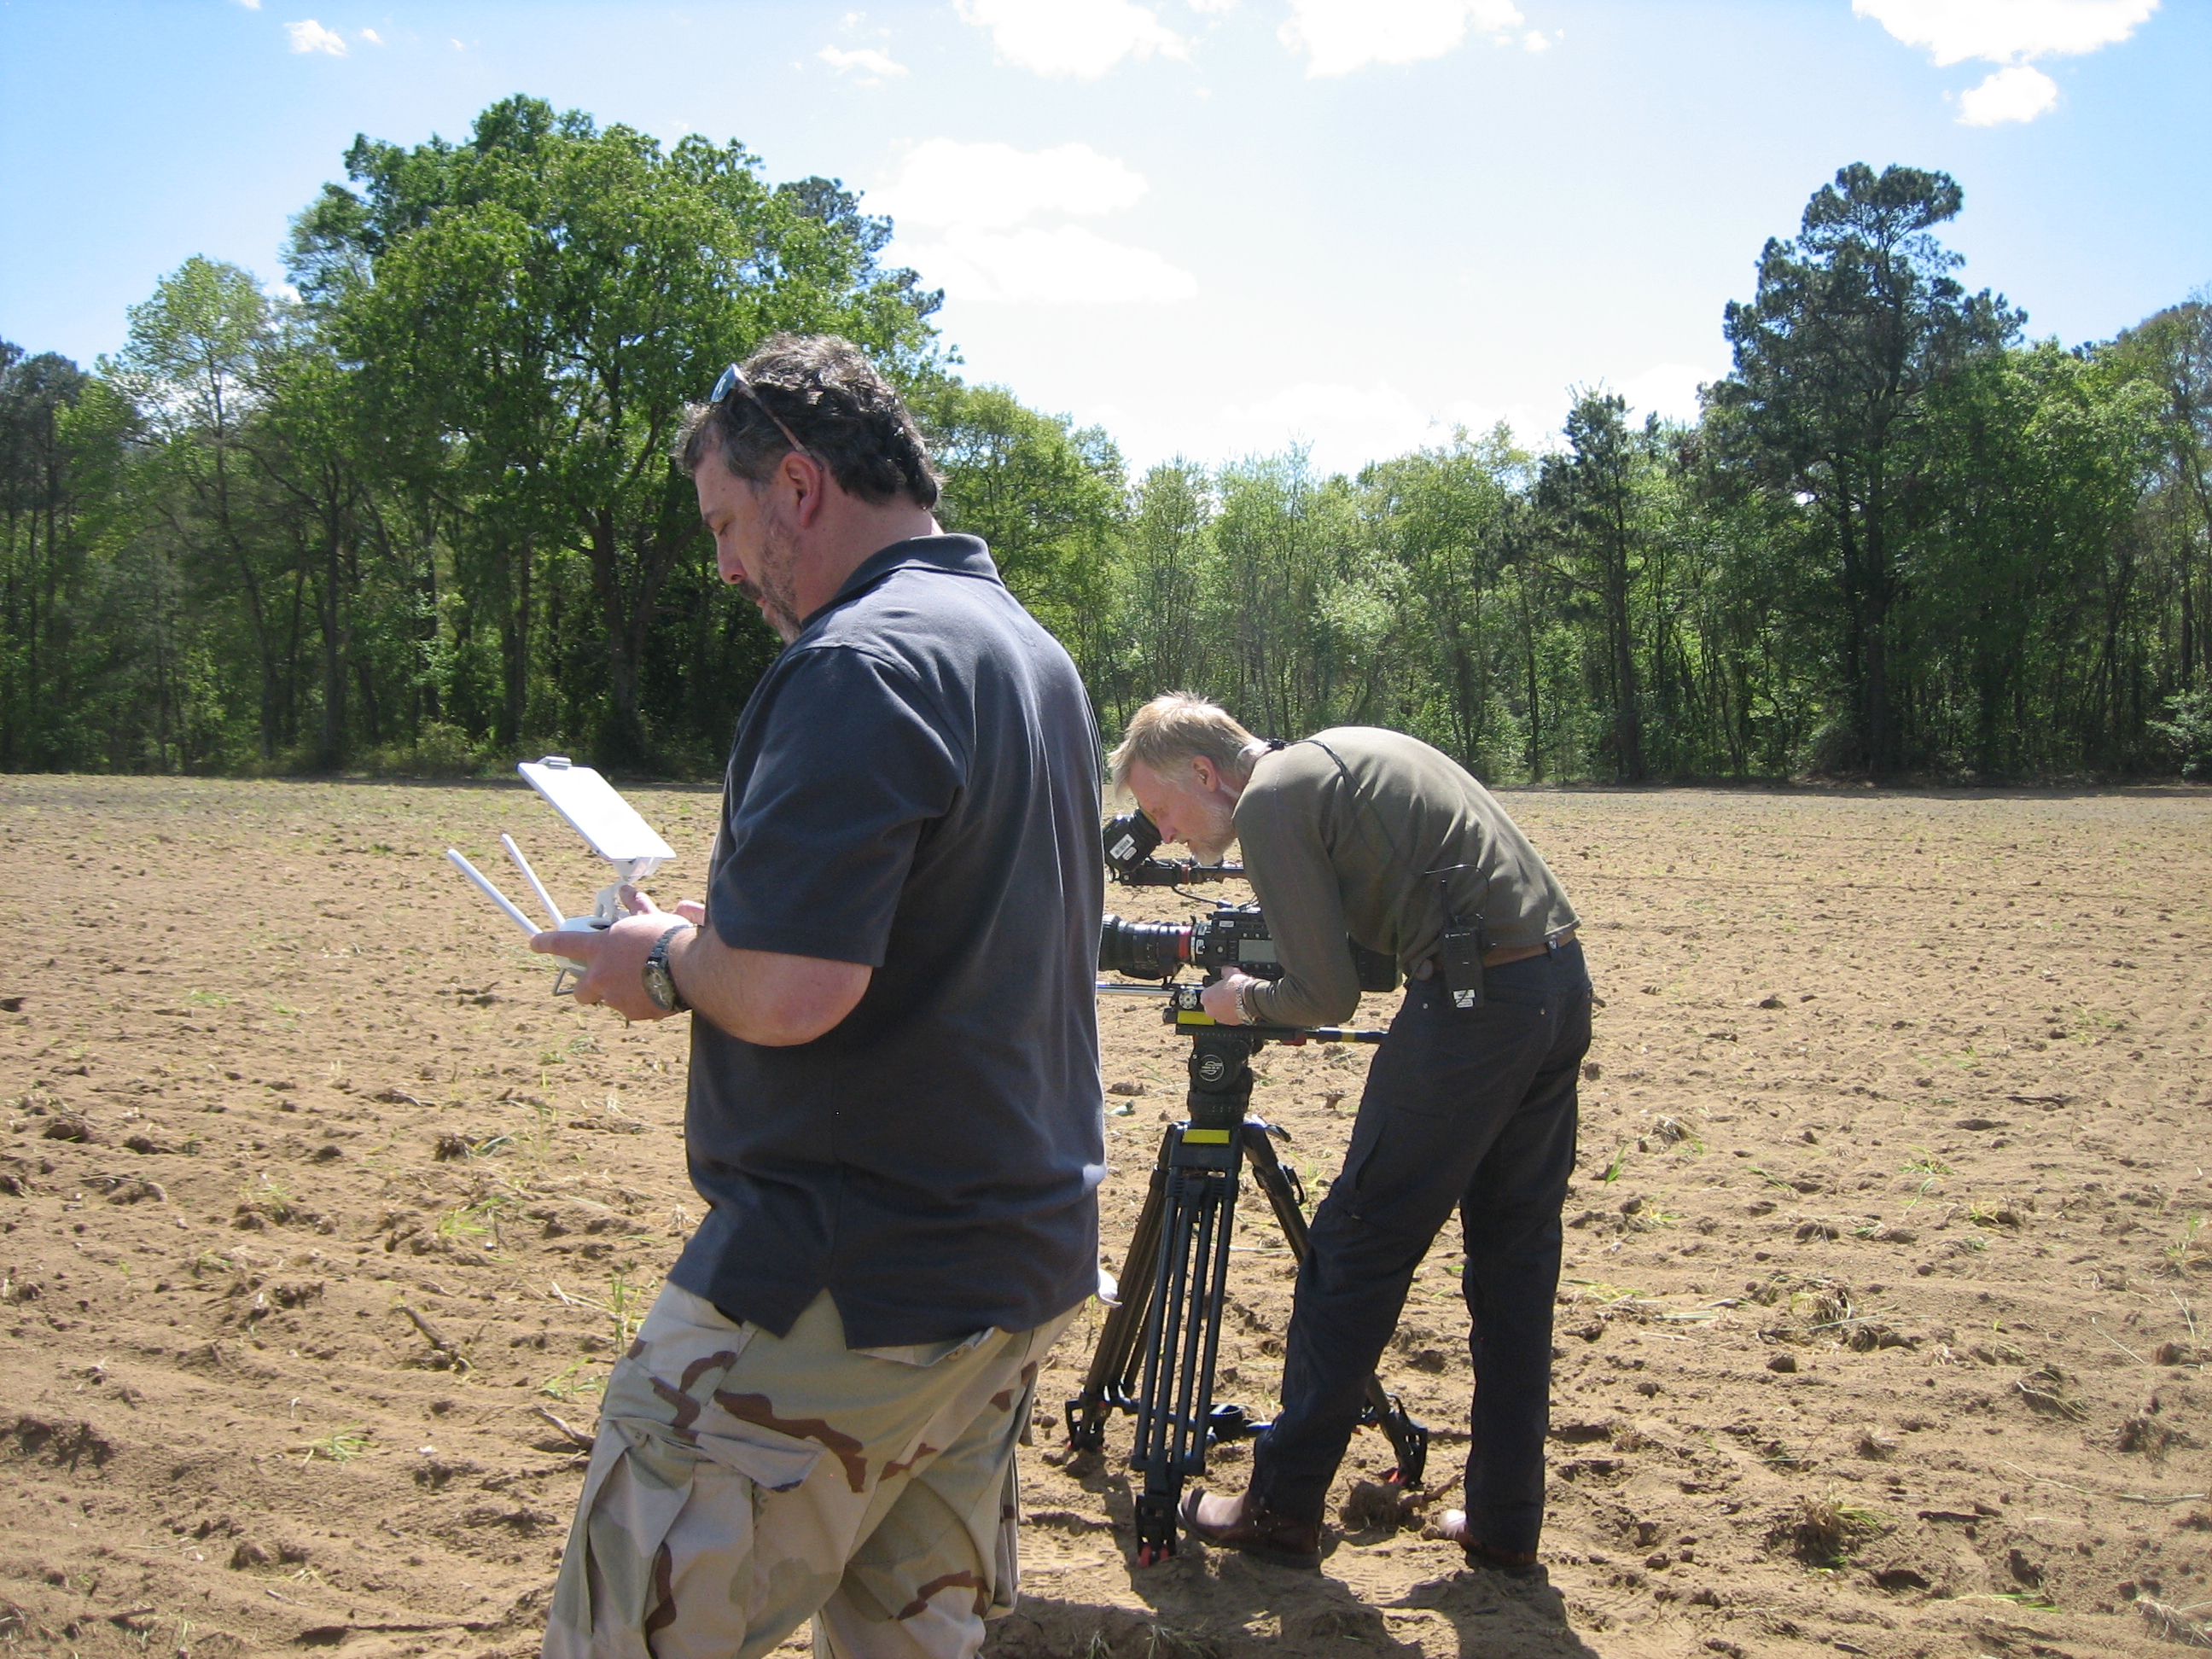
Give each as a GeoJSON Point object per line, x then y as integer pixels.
{"type": "Point", "coordinates": [747, 1483]}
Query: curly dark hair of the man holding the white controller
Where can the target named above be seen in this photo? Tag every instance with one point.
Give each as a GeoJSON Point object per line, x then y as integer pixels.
{"type": "Point", "coordinates": [835, 404]}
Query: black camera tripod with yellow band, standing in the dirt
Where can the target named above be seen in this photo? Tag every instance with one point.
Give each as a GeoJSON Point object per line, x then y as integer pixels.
{"type": "Point", "coordinates": [1178, 1273]}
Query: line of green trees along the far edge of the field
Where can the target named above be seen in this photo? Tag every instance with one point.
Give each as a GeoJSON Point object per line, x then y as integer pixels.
{"type": "Point", "coordinates": [415, 512]}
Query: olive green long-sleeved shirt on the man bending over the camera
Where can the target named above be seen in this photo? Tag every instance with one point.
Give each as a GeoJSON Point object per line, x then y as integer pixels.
{"type": "Point", "coordinates": [1339, 837]}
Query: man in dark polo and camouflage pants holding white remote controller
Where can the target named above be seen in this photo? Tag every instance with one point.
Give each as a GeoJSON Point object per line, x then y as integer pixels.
{"type": "Point", "coordinates": [895, 1096]}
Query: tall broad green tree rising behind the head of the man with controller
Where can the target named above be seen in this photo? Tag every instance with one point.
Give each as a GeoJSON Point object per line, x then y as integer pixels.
{"type": "Point", "coordinates": [534, 309]}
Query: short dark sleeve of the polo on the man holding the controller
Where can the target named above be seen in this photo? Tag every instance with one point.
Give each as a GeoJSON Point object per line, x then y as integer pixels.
{"type": "Point", "coordinates": [851, 773]}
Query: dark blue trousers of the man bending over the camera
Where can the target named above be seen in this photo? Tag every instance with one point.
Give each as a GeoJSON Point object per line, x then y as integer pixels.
{"type": "Point", "coordinates": [1468, 1109]}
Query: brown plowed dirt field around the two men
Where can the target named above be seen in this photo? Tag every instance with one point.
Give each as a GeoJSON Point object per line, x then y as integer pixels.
{"type": "Point", "coordinates": [1884, 1328]}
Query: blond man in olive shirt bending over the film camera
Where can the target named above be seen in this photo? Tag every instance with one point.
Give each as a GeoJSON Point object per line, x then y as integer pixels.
{"type": "Point", "coordinates": [1470, 1100]}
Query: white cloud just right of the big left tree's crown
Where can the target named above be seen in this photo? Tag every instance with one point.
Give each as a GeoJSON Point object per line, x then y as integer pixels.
{"type": "Point", "coordinates": [968, 216]}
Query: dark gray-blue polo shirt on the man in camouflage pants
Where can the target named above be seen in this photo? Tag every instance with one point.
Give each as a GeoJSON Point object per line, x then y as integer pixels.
{"type": "Point", "coordinates": [915, 786]}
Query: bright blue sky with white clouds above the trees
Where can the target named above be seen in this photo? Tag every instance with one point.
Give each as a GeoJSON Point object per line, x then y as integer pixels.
{"type": "Point", "coordinates": [1213, 227]}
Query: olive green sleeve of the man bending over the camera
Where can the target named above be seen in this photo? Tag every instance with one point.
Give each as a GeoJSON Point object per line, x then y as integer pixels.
{"type": "Point", "coordinates": [1295, 881]}
